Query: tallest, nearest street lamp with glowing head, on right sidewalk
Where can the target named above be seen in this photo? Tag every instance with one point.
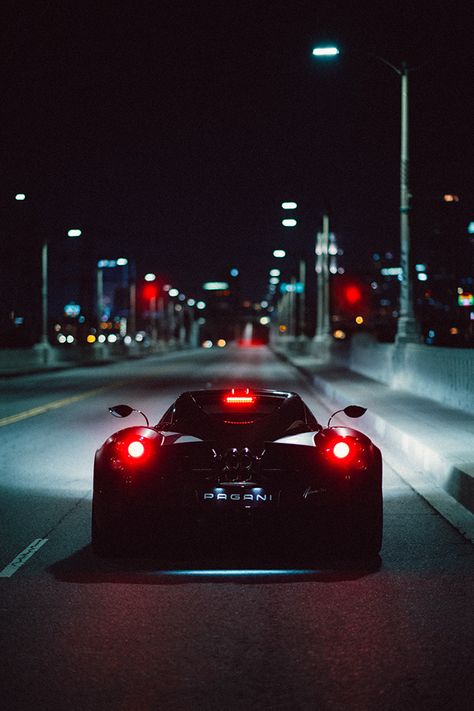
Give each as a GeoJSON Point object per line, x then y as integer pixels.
{"type": "Point", "coordinates": [407, 328]}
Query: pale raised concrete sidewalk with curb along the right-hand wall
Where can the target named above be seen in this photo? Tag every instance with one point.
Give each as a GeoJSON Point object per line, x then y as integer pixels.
{"type": "Point", "coordinates": [431, 446]}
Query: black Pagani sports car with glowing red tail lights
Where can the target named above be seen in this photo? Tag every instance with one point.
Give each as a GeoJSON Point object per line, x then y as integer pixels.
{"type": "Point", "coordinates": [237, 457]}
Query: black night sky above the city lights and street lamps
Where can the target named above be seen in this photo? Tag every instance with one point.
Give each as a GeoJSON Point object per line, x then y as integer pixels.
{"type": "Point", "coordinates": [171, 131]}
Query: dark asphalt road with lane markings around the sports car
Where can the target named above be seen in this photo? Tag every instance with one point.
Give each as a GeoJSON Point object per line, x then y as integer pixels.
{"type": "Point", "coordinates": [78, 632]}
